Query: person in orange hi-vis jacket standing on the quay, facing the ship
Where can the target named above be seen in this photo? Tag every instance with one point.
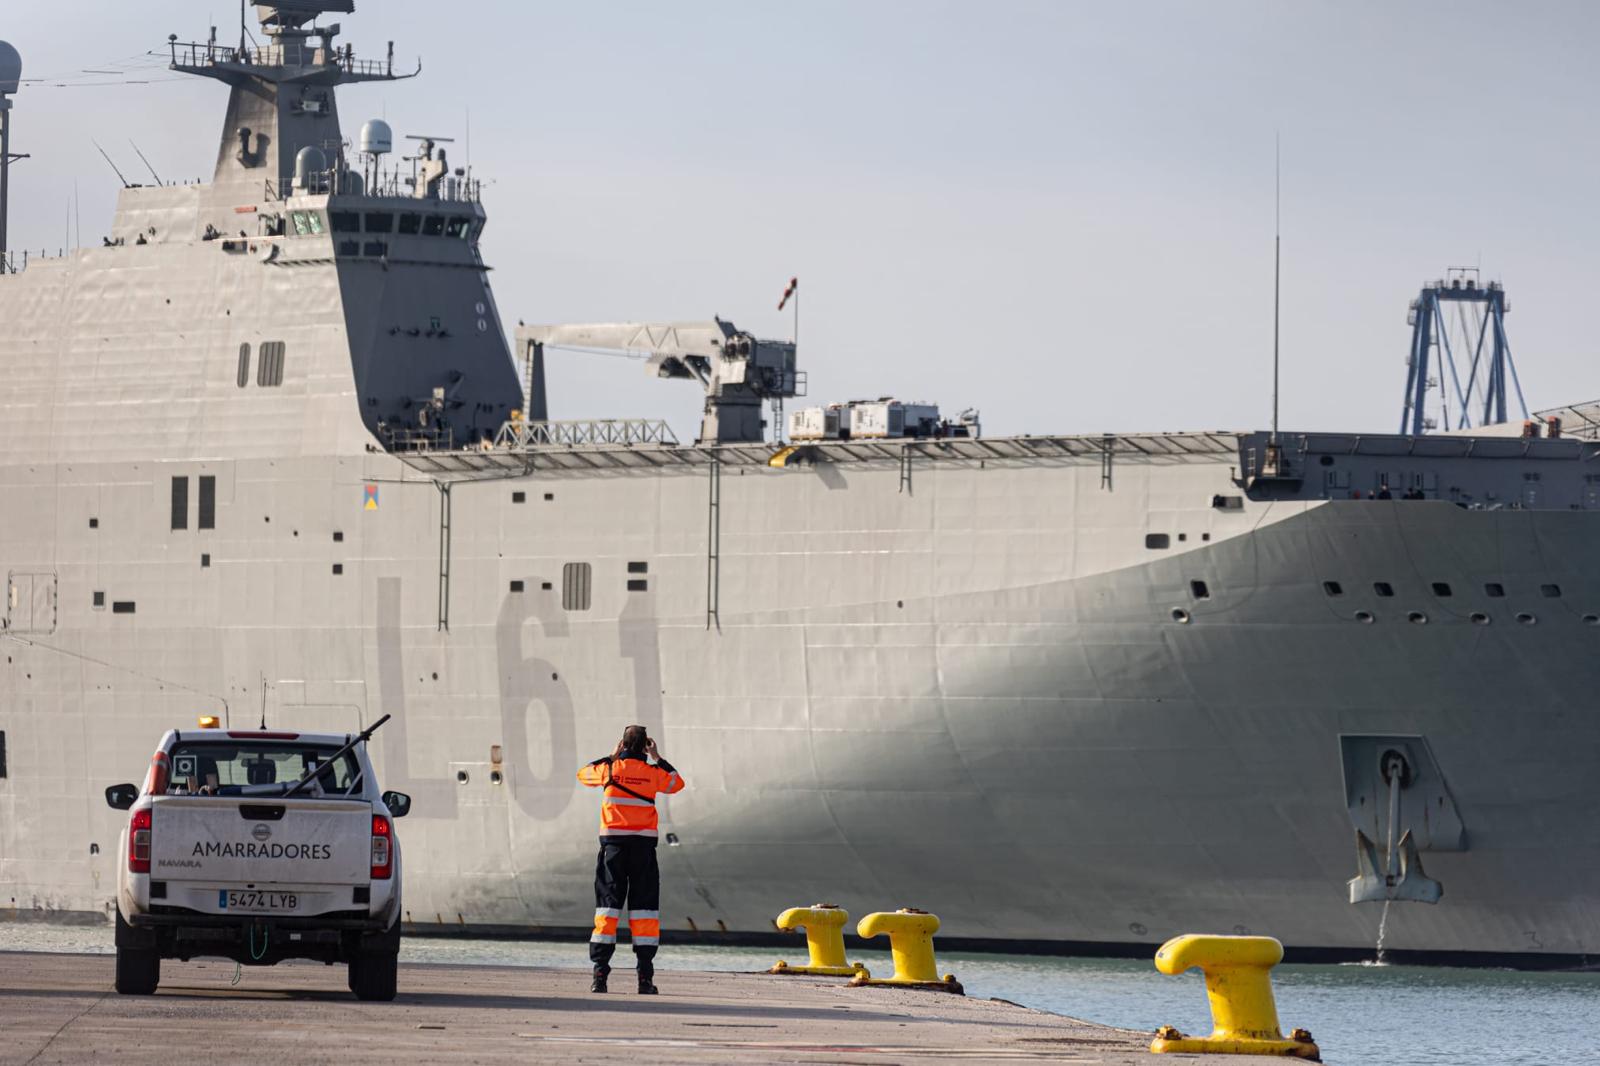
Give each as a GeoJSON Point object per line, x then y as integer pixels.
{"type": "Point", "coordinates": [626, 873]}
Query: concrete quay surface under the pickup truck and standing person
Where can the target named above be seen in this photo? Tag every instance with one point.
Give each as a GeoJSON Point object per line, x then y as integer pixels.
{"type": "Point", "coordinates": [62, 1009]}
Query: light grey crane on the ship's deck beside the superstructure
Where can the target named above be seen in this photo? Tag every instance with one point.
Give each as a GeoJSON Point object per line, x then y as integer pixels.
{"type": "Point", "coordinates": [738, 371]}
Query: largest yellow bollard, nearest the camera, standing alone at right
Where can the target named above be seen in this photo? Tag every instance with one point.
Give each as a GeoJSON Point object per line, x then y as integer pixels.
{"type": "Point", "coordinates": [1239, 985]}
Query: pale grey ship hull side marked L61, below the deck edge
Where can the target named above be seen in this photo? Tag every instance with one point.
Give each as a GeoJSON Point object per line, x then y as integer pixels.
{"type": "Point", "coordinates": [975, 691]}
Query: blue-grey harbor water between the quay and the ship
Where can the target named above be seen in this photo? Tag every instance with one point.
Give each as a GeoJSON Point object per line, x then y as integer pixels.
{"type": "Point", "coordinates": [1359, 1014]}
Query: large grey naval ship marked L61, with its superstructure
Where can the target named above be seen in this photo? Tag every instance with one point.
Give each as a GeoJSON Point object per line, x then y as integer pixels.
{"type": "Point", "coordinates": [268, 454]}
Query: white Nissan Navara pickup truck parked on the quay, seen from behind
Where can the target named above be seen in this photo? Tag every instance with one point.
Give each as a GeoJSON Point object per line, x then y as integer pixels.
{"type": "Point", "coordinates": [260, 846]}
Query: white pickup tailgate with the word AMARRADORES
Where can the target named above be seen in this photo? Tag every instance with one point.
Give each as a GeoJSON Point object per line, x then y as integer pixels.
{"type": "Point", "coordinates": [262, 841]}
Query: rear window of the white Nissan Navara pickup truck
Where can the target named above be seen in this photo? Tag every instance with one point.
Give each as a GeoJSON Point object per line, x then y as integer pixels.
{"type": "Point", "coordinates": [260, 769]}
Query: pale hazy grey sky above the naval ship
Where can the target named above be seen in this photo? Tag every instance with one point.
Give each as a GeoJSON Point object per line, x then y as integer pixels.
{"type": "Point", "coordinates": [1060, 214]}
